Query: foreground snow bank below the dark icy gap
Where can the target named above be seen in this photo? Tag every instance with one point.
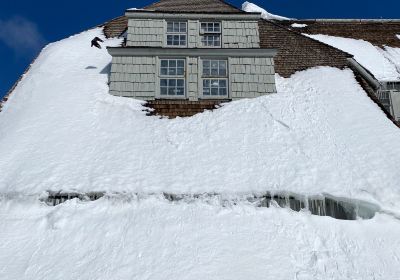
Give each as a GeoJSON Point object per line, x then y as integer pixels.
{"type": "Point", "coordinates": [154, 239]}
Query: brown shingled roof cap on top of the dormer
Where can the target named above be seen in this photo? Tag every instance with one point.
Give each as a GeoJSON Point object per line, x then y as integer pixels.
{"type": "Point", "coordinates": [211, 6]}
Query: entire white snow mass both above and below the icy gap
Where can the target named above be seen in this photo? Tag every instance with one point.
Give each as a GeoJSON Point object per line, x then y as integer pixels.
{"type": "Point", "coordinates": [61, 130]}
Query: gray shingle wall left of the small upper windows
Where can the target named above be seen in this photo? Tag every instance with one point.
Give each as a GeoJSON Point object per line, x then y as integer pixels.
{"type": "Point", "coordinates": [145, 33]}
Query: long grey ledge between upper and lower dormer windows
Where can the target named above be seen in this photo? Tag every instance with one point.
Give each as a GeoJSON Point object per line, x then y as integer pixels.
{"type": "Point", "coordinates": [135, 51]}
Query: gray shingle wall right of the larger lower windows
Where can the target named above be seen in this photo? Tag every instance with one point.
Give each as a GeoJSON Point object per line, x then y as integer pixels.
{"type": "Point", "coordinates": [251, 77]}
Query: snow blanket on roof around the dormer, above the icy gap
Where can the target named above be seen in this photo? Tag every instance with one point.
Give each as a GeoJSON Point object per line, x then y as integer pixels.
{"type": "Point", "coordinates": [61, 130]}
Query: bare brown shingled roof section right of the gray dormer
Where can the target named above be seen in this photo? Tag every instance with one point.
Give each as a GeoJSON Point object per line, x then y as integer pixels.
{"type": "Point", "coordinates": [297, 52]}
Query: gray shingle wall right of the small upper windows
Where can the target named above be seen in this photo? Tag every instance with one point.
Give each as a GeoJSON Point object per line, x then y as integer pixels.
{"type": "Point", "coordinates": [240, 34]}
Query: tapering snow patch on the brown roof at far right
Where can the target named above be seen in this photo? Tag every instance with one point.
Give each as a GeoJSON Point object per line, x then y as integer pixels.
{"type": "Point", "coordinates": [384, 64]}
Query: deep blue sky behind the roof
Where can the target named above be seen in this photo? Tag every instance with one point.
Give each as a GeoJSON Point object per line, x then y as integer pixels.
{"type": "Point", "coordinates": [26, 25]}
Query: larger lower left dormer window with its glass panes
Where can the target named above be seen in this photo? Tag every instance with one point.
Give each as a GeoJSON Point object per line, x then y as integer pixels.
{"type": "Point", "coordinates": [172, 77]}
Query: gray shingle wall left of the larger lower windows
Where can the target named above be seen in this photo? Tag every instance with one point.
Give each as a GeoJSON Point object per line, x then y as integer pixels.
{"type": "Point", "coordinates": [133, 77]}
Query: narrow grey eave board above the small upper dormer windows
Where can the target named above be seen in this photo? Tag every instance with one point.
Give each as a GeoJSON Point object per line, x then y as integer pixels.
{"type": "Point", "coordinates": [145, 14]}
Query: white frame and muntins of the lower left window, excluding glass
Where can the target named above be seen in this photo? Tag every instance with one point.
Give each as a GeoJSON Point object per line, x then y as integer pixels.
{"type": "Point", "coordinates": [168, 77]}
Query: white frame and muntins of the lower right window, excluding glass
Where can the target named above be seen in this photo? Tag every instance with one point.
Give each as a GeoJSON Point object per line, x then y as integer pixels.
{"type": "Point", "coordinates": [211, 77]}
